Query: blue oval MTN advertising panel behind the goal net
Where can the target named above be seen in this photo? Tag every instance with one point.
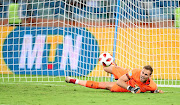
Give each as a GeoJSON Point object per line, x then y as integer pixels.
{"type": "Point", "coordinates": [50, 51]}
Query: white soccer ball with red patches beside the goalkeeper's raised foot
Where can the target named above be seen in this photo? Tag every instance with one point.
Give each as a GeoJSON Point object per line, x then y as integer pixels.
{"type": "Point", "coordinates": [105, 59]}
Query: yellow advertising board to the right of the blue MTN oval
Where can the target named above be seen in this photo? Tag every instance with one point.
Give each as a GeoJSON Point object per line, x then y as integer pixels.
{"type": "Point", "coordinates": [136, 48]}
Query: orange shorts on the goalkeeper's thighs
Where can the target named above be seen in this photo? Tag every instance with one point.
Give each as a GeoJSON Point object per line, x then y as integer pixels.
{"type": "Point", "coordinates": [118, 72]}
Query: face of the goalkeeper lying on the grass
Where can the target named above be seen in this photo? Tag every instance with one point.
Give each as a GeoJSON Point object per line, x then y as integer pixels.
{"type": "Point", "coordinates": [145, 75]}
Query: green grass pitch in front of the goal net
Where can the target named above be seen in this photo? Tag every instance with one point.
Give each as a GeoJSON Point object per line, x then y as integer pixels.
{"type": "Point", "coordinates": [61, 93]}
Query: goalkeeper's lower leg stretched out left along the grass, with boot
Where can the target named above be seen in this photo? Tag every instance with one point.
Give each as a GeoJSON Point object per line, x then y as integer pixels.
{"type": "Point", "coordinates": [91, 84]}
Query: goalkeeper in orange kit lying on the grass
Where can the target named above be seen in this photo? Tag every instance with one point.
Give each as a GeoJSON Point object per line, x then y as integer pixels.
{"type": "Point", "coordinates": [134, 81]}
